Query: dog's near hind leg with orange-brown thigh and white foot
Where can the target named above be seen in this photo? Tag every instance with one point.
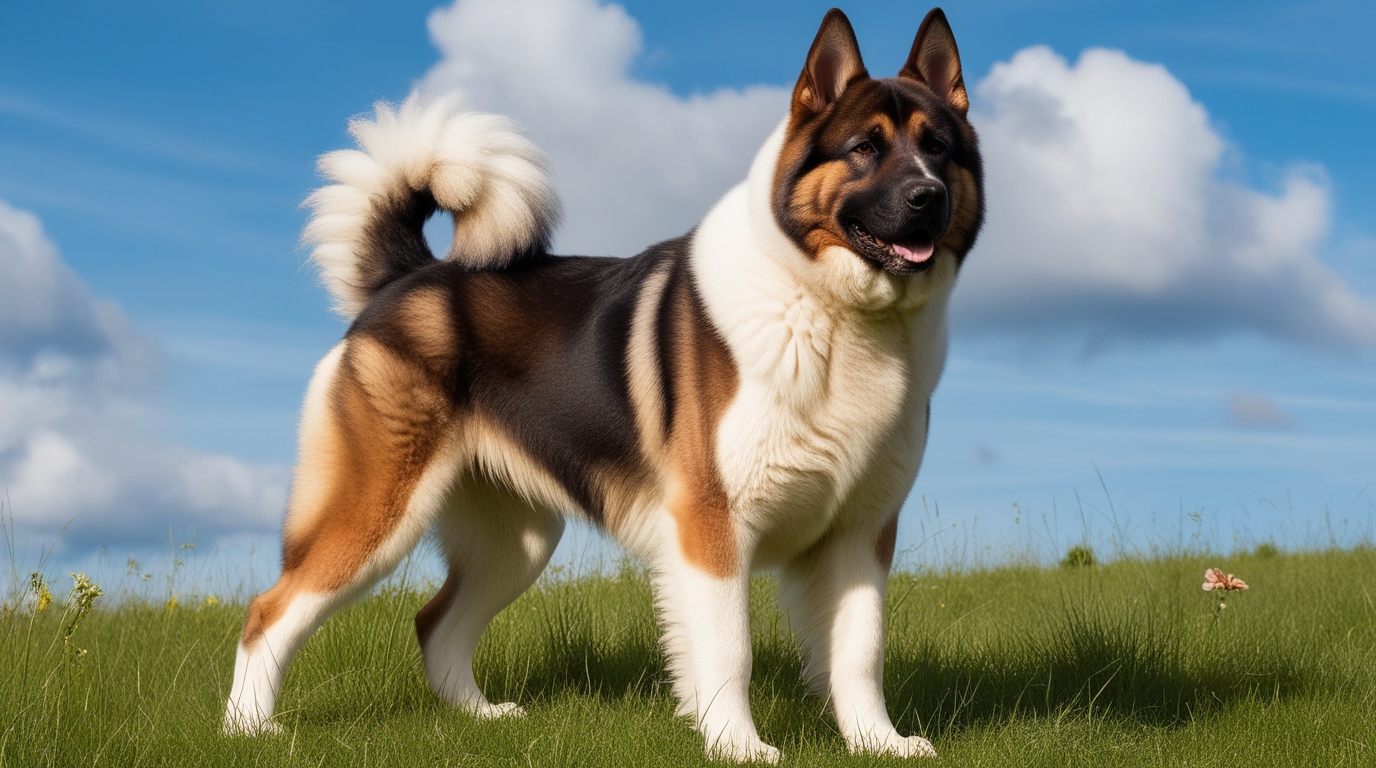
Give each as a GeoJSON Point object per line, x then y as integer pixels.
{"type": "Point", "coordinates": [375, 469]}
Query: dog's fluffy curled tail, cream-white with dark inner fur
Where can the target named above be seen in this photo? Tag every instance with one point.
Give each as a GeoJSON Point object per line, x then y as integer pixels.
{"type": "Point", "coordinates": [365, 228]}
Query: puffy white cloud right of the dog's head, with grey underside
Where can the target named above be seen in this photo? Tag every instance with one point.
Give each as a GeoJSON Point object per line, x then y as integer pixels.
{"type": "Point", "coordinates": [1108, 215]}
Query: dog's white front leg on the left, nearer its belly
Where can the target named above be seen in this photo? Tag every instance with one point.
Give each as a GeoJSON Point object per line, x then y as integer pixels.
{"type": "Point", "coordinates": [705, 610]}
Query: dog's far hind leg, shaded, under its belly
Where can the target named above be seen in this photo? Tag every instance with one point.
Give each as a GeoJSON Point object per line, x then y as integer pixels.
{"type": "Point", "coordinates": [497, 544]}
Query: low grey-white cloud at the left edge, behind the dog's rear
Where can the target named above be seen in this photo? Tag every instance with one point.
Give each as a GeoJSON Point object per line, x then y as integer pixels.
{"type": "Point", "coordinates": [75, 389]}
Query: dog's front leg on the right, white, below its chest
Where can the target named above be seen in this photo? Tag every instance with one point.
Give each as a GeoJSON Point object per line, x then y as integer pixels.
{"type": "Point", "coordinates": [835, 595]}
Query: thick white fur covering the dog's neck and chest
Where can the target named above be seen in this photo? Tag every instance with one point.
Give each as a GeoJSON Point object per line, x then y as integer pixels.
{"type": "Point", "coordinates": [837, 363]}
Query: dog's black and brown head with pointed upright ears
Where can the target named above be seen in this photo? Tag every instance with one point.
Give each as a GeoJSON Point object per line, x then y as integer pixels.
{"type": "Point", "coordinates": [890, 169]}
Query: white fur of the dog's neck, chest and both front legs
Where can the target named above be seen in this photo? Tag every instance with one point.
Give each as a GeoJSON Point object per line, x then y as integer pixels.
{"type": "Point", "coordinates": [837, 364]}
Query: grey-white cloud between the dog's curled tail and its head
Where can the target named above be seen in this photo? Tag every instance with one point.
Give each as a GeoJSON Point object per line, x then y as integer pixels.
{"type": "Point", "coordinates": [634, 162]}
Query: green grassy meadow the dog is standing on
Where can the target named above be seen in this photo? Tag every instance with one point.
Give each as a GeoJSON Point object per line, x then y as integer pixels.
{"type": "Point", "coordinates": [1121, 664]}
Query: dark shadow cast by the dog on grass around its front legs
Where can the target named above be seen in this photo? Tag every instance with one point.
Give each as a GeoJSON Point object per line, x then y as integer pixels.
{"type": "Point", "coordinates": [1090, 667]}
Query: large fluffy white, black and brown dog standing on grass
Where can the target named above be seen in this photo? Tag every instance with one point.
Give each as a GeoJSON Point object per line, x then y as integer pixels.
{"type": "Point", "coordinates": [751, 396]}
